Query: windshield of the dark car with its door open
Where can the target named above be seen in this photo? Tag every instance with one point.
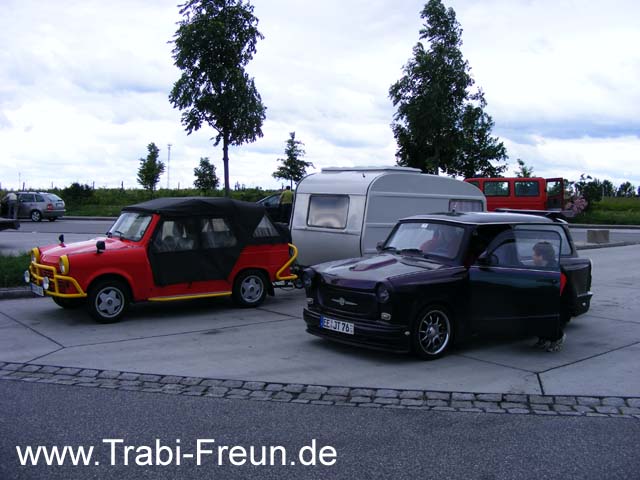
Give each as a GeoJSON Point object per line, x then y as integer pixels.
{"type": "Point", "coordinates": [435, 239]}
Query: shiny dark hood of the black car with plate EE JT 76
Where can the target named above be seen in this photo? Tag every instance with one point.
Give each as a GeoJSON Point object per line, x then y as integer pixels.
{"type": "Point", "coordinates": [375, 269]}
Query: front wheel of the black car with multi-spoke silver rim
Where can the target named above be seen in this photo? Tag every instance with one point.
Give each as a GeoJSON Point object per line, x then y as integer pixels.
{"type": "Point", "coordinates": [432, 332]}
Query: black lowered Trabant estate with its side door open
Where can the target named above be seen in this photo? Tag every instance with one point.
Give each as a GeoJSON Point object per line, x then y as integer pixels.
{"type": "Point", "coordinates": [443, 277]}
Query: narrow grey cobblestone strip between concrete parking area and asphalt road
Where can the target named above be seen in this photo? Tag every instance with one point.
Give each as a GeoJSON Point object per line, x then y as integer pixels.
{"type": "Point", "coordinates": [497, 403]}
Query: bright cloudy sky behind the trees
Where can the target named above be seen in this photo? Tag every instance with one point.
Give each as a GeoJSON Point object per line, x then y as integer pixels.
{"type": "Point", "coordinates": [84, 86]}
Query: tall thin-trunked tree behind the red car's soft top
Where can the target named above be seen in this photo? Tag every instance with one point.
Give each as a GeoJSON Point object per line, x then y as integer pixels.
{"type": "Point", "coordinates": [214, 42]}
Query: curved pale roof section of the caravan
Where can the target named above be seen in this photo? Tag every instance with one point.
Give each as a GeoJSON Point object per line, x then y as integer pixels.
{"type": "Point", "coordinates": [358, 181]}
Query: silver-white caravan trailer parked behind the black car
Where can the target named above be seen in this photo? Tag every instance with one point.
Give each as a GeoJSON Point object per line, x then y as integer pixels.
{"type": "Point", "coordinates": [344, 212]}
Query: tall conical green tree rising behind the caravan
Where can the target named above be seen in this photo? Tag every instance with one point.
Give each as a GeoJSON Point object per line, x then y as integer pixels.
{"type": "Point", "coordinates": [440, 124]}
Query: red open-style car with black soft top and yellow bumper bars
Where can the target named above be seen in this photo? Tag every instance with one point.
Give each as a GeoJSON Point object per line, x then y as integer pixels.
{"type": "Point", "coordinates": [168, 249]}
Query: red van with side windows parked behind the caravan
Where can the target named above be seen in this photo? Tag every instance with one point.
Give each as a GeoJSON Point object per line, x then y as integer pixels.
{"type": "Point", "coordinates": [517, 193]}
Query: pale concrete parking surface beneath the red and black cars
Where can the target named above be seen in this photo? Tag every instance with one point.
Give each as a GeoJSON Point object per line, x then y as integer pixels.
{"type": "Point", "coordinates": [214, 340]}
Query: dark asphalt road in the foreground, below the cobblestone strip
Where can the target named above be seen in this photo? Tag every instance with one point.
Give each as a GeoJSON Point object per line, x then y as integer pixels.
{"type": "Point", "coordinates": [368, 444]}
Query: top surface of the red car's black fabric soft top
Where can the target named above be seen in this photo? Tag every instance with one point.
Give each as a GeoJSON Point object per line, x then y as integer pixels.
{"type": "Point", "coordinates": [190, 206]}
